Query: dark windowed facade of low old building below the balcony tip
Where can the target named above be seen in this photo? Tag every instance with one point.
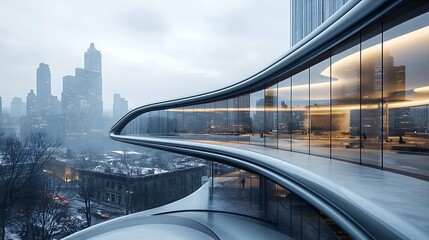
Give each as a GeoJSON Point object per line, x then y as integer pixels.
{"type": "Point", "coordinates": [138, 193]}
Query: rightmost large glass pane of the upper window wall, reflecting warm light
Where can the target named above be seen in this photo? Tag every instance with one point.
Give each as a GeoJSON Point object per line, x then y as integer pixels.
{"type": "Point", "coordinates": [406, 94]}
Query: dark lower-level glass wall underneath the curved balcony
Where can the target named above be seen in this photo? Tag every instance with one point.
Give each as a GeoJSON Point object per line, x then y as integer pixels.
{"type": "Point", "coordinates": [238, 191]}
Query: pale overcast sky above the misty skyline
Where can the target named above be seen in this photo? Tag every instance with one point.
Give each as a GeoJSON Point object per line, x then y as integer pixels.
{"type": "Point", "coordinates": [151, 50]}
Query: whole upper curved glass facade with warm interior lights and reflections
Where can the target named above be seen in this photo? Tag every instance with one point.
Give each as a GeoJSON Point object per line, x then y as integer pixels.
{"type": "Point", "coordinates": [365, 100]}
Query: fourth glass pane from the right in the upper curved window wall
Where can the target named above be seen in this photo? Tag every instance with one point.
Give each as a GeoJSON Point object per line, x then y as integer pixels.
{"type": "Point", "coordinates": [320, 109]}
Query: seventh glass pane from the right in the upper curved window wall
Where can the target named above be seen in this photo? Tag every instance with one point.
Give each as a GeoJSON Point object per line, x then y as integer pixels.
{"type": "Point", "coordinates": [270, 130]}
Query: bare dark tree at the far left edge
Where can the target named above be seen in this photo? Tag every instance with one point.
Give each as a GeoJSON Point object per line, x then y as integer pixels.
{"type": "Point", "coordinates": [20, 162]}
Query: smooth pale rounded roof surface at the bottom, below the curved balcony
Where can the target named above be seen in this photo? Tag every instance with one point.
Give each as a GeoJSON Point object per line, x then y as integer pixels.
{"type": "Point", "coordinates": [183, 219]}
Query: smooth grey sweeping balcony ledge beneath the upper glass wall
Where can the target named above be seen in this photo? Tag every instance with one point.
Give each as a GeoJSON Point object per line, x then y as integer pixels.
{"type": "Point", "coordinates": [358, 198]}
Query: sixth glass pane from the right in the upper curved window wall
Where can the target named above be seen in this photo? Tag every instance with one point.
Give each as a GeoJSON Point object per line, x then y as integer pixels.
{"type": "Point", "coordinates": [284, 114]}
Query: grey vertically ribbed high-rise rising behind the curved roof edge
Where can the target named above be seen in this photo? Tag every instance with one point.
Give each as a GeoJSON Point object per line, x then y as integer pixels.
{"type": "Point", "coordinates": [307, 15]}
